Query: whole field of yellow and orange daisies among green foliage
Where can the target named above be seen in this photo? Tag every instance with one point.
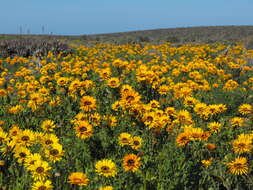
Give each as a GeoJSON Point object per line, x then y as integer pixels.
{"type": "Point", "coordinates": [135, 117]}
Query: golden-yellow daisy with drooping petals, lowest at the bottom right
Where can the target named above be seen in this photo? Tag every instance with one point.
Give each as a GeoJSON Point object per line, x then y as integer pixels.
{"type": "Point", "coordinates": [239, 166]}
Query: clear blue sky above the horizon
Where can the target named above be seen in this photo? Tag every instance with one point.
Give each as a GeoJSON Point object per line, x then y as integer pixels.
{"type": "Point", "coordinates": [74, 17]}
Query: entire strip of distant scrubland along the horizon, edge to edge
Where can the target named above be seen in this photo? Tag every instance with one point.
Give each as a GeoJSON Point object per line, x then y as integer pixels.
{"type": "Point", "coordinates": [207, 34]}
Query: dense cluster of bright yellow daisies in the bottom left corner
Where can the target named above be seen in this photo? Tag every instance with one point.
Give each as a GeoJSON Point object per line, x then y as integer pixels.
{"type": "Point", "coordinates": [22, 142]}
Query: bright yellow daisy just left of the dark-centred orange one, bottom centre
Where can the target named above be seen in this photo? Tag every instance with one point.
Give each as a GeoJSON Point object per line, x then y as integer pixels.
{"type": "Point", "coordinates": [106, 168]}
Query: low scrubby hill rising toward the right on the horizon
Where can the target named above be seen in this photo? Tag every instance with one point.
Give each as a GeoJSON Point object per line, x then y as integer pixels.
{"type": "Point", "coordinates": [181, 35]}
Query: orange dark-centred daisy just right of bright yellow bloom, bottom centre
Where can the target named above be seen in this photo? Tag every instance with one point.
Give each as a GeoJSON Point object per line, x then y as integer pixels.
{"type": "Point", "coordinates": [131, 162]}
